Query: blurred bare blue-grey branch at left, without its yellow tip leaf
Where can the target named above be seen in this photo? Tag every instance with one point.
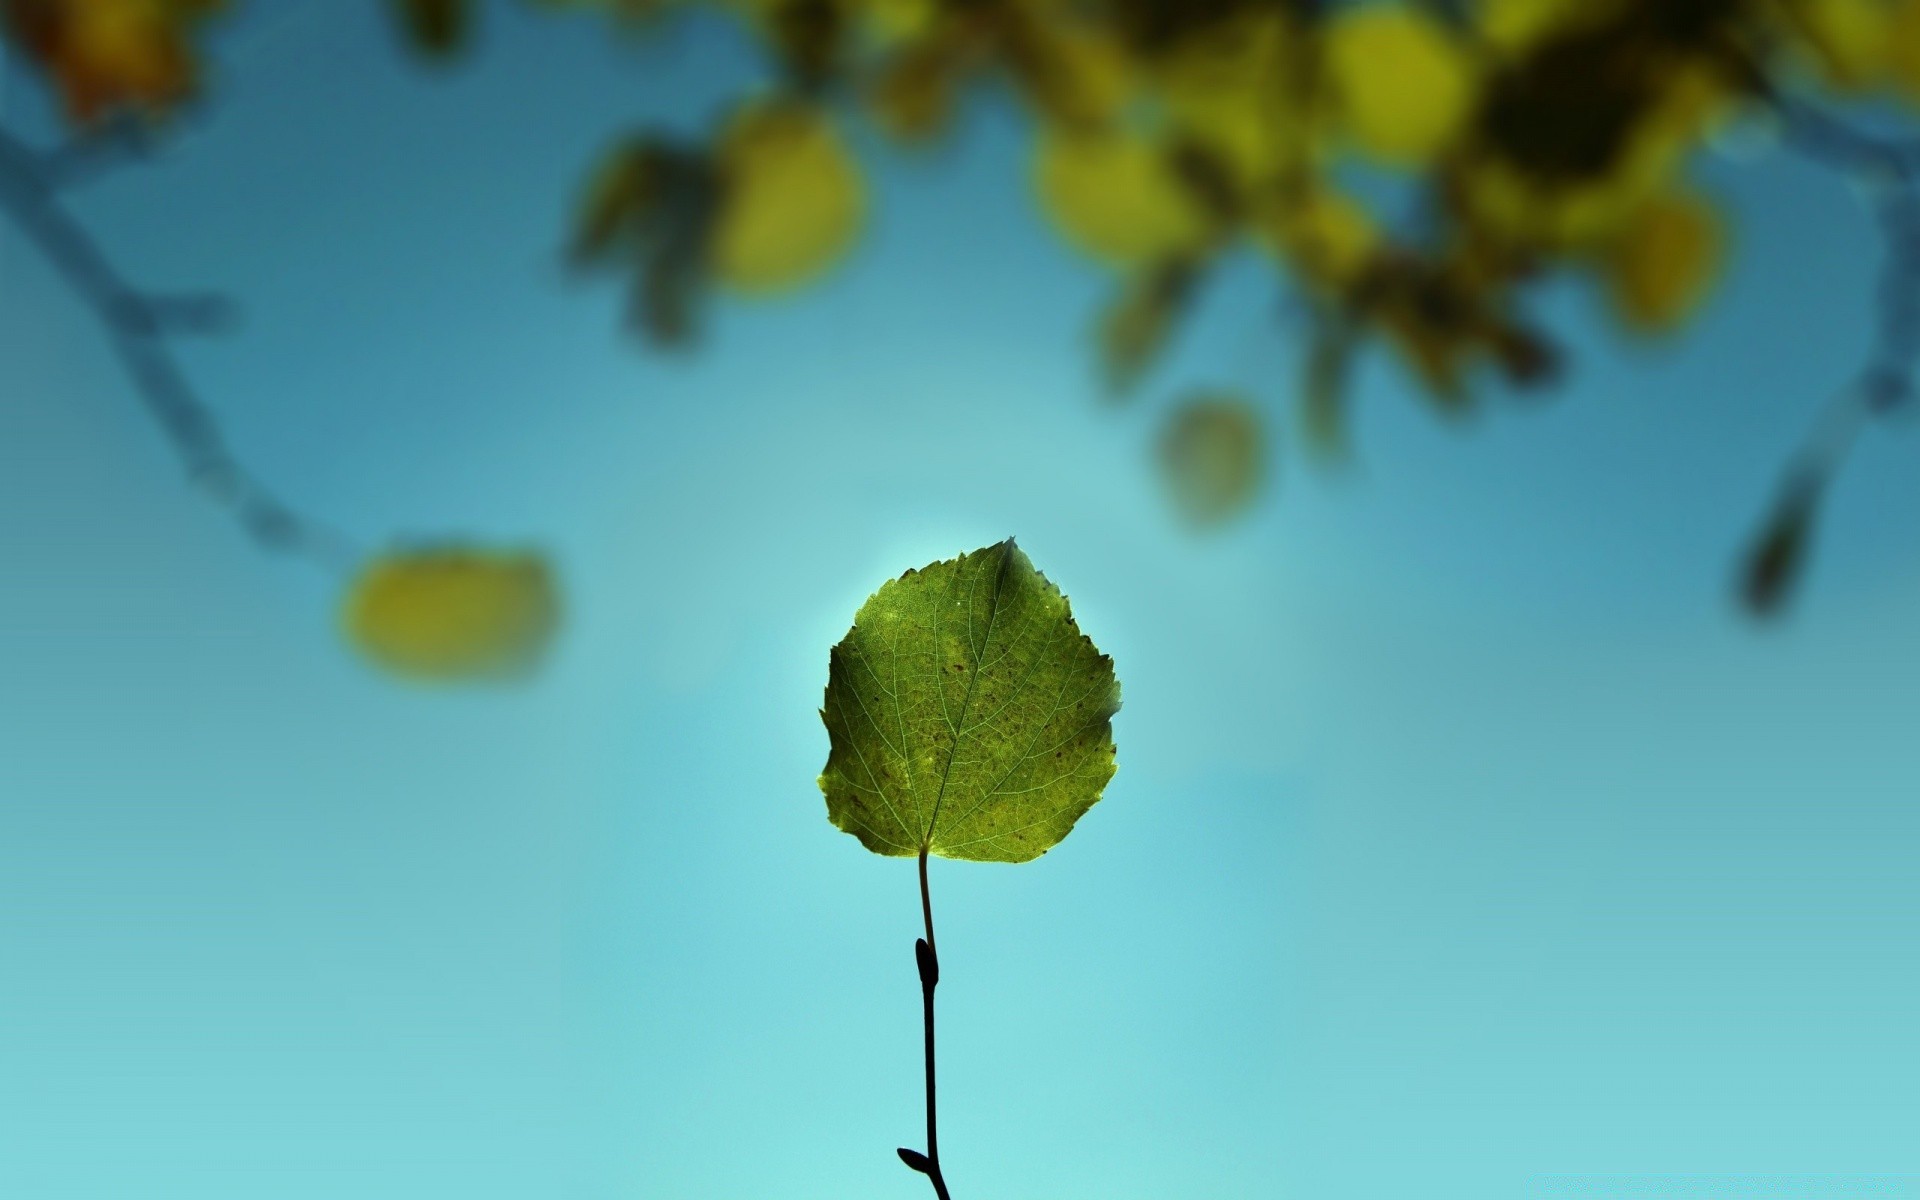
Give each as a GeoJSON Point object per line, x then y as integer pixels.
{"type": "Point", "coordinates": [139, 325]}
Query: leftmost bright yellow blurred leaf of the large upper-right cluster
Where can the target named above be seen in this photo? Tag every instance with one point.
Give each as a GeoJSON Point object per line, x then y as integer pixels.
{"type": "Point", "coordinates": [1118, 197]}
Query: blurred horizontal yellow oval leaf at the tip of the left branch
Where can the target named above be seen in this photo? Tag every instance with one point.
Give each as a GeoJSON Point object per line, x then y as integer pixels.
{"type": "Point", "coordinates": [454, 613]}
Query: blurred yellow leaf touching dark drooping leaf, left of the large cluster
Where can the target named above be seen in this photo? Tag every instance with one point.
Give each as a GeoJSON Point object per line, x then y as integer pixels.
{"type": "Point", "coordinates": [792, 199]}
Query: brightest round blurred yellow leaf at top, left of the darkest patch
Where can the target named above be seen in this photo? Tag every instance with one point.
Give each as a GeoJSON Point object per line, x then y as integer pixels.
{"type": "Point", "coordinates": [1403, 85]}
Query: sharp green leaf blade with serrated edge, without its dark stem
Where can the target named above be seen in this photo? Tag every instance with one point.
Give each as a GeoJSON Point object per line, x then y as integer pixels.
{"type": "Point", "coordinates": [969, 715]}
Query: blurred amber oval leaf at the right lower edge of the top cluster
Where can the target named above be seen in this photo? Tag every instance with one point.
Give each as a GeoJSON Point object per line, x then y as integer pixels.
{"type": "Point", "coordinates": [1664, 262]}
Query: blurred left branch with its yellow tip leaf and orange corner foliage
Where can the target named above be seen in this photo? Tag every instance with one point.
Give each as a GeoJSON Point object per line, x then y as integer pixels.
{"type": "Point", "coordinates": [443, 612]}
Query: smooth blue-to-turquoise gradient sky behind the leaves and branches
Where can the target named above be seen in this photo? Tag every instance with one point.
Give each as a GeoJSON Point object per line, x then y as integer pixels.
{"type": "Point", "coordinates": [1466, 842]}
